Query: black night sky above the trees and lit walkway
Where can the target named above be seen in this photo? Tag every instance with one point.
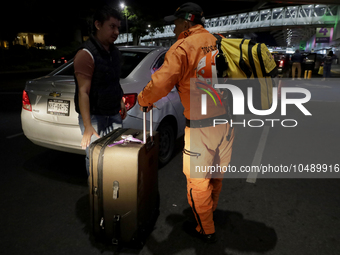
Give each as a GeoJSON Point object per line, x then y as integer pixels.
{"type": "Point", "coordinates": [59, 18]}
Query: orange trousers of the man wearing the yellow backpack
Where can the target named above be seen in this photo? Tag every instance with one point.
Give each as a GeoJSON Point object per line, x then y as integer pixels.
{"type": "Point", "coordinates": [205, 147]}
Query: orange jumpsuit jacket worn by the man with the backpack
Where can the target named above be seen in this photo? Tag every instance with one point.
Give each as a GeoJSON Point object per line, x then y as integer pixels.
{"type": "Point", "coordinates": [178, 68]}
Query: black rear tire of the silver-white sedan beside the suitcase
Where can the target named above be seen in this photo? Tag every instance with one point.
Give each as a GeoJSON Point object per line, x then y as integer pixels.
{"type": "Point", "coordinates": [166, 142]}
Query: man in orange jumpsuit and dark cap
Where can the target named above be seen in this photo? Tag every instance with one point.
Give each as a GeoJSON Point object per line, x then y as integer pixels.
{"type": "Point", "coordinates": [205, 144]}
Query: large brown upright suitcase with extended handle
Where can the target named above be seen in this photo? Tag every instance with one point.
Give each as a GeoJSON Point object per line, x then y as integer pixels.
{"type": "Point", "coordinates": [123, 182]}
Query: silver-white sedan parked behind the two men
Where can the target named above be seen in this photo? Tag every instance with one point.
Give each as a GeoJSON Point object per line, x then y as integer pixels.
{"type": "Point", "coordinates": [49, 118]}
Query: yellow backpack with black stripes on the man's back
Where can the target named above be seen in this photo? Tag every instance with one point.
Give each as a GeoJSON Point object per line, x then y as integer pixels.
{"type": "Point", "coordinates": [249, 64]}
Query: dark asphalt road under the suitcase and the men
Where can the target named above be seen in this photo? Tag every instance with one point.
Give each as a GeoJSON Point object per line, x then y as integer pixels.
{"type": "Point", "coordinates": [44, 205]}
